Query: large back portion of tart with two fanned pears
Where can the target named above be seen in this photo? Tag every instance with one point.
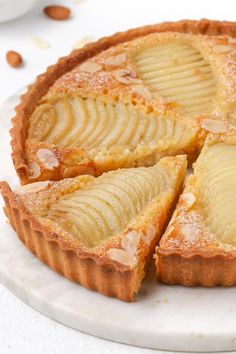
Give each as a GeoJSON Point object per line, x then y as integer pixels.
{"type": "Point", "coordinates": [127, 101]}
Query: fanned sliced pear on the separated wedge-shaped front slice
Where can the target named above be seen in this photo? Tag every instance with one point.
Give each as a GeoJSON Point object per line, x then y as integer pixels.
{"type": "Point", "coordinates": [110, 204]}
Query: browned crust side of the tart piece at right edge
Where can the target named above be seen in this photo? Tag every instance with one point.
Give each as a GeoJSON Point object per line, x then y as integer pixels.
{"type": "Point", "coordinates": [200, 269]}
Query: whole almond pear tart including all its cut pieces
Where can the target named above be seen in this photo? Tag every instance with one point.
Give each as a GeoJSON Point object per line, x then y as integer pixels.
{"type": "Point", "coordinates": [99, 142]}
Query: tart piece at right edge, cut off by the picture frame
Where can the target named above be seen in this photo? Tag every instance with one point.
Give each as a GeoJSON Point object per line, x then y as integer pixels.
{"type": "Point", "coordinates": [199, 245]}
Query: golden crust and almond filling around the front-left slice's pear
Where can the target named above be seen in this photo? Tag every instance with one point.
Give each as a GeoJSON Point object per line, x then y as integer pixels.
{"type": "Point", "coordinates": [98, 268]}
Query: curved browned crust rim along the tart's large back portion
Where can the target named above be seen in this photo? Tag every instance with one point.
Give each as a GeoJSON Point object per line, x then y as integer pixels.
{"type": "Point", "coordinates": [29, 100]}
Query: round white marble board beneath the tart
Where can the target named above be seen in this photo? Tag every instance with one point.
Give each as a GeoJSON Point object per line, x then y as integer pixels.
{"type": "Point", "coordinates": [163, 317]}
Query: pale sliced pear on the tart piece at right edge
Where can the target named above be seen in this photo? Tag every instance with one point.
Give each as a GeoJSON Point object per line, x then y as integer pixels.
{"type": "Point", "coordinates": [216, 172]}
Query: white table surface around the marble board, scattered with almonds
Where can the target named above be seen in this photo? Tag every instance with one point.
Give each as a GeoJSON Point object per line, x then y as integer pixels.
{"type": "Point", "coordinates": [22, 329]}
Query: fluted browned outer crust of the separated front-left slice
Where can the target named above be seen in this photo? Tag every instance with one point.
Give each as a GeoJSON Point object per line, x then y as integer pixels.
{"type": "Point", "coordinates": [108, 279]}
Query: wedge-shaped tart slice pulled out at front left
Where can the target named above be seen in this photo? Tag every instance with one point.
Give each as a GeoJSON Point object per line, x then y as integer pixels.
{"type": "Point", "coordinates": [100, 232]}
